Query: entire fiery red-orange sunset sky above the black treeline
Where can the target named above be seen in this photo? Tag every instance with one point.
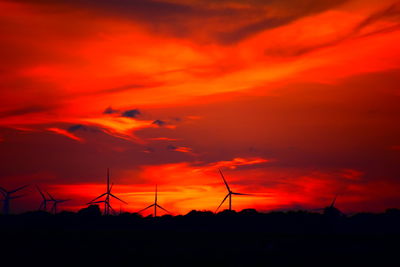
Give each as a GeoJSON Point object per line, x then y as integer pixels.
{"type": "Point", "coordinates": [295, 101]}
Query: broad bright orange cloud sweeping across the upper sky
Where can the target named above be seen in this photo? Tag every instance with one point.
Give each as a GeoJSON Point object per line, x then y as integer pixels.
{"type": "Point", "coordinates": [105, 69]}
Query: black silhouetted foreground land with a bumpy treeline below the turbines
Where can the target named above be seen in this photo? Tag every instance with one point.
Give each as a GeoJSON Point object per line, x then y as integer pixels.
{"type": "Point", "coordinates": [201, 239]}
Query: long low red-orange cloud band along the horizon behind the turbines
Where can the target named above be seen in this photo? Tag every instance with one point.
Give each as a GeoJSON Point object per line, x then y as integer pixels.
{"type": "Point", "coordinates": [186, 186]}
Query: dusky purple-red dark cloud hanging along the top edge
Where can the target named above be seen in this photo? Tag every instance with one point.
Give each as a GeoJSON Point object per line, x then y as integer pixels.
{"type": "Point", "coordinates": [185, 18]}
